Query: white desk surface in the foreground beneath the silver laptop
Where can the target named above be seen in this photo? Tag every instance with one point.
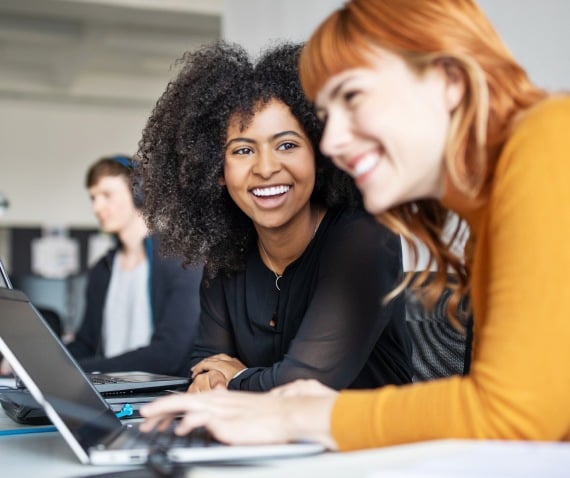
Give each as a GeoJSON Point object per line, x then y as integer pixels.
{"type": "Point", "coordinates": [47, 455]}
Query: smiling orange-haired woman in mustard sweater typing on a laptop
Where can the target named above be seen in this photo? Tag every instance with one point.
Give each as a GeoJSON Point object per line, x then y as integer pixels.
{"type": "Point", "coordinates": [427, 110]}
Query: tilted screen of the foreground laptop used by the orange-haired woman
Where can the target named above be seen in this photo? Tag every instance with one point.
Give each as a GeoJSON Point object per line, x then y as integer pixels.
{"type": "Point", "coordinates": [42, 360]}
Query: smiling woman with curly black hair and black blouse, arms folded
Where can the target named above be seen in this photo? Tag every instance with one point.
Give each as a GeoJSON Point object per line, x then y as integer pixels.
{"type": "Point", "coordinates": [233, 178]}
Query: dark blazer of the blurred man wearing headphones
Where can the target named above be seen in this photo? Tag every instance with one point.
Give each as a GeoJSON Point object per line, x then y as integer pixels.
{"type": "Point", "coordinates": [175, 307]}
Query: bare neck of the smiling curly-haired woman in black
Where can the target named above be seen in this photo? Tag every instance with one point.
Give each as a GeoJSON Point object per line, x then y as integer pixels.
{"type": "Point", "coordinates": [279, 247]}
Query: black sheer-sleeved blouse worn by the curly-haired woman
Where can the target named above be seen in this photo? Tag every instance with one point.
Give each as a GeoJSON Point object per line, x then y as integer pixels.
{"type": "Point", "coordinates": [327, 322]}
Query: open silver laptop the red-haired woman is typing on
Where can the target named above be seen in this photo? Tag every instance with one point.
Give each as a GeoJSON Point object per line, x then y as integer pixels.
{"type": "Point", "coordinates": [81, 414]}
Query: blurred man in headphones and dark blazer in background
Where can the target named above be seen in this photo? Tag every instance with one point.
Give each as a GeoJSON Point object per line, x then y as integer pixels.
{"type": "Point", "coordinates": [141, 309]}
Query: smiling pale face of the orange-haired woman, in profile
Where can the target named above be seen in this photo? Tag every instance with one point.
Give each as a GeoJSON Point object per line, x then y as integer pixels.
{"type": "Point", "coordinates": [387, 127]}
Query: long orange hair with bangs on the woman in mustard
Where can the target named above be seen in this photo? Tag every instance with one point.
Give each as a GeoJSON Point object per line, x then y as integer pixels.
{"type": "Point", "coordinates": [497, 90]}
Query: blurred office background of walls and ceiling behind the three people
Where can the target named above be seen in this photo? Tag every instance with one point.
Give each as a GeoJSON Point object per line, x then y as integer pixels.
{"type": "Point", "coordinates": [78, 78]}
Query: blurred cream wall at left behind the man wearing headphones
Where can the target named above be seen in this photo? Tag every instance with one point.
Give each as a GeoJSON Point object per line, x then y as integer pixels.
{"type": "Point", "coordinates": [46, 148]}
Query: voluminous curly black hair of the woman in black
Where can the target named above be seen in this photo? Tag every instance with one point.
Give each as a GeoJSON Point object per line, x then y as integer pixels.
{"type": "Point", "coordinates": [181, 153]}
